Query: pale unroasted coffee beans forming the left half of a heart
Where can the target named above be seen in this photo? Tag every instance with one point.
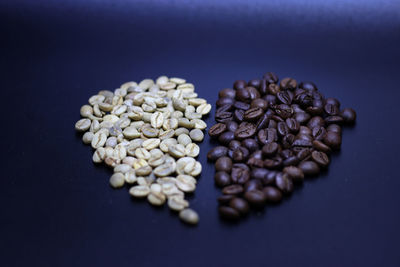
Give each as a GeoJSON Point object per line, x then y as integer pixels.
{"type": "Point", "coordinates": [147, 133]}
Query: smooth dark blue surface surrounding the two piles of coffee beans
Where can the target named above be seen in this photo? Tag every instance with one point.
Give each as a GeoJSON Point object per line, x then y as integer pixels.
{"type": "Point", "coordinates": [57, 208]}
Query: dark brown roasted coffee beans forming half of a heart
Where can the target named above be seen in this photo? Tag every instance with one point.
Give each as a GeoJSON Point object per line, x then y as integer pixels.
{"type": "Point", "coordinates": [272, 135]}
